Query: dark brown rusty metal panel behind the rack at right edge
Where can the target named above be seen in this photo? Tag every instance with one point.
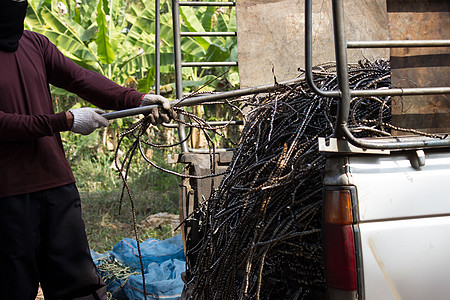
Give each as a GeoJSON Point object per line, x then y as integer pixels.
{"type": "Point", "coordinates": [420, 67]}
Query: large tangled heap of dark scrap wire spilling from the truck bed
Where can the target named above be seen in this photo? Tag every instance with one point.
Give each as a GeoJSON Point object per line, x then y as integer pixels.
{"type": "Point", "coordinates": [261, 229]}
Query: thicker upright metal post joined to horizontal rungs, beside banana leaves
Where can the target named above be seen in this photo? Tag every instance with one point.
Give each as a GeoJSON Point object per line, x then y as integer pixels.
{"type": "Point", "coordinates": [178, 71]}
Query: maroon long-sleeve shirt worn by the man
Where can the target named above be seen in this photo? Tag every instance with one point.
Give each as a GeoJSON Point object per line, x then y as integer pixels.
{"type": "Point", "coordinates": [32, 157]}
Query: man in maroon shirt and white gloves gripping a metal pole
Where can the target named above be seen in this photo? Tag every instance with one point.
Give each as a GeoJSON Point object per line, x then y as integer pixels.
{"type": "Point", "coordinates": [42, 235]}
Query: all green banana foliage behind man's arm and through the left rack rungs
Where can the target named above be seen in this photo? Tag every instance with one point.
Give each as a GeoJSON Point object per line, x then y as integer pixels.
{"type": "Point", "coordinates": [116, 38]}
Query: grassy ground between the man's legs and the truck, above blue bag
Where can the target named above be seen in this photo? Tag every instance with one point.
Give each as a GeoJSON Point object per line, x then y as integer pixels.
{"type": "Point", "coordinates": [152, 191]}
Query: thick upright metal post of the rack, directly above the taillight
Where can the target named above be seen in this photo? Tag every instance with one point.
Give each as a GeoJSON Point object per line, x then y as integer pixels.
{"type": "Point", "coordinates": [340, 45]}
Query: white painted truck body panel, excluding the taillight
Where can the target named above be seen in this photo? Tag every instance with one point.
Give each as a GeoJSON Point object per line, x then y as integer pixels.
{"type": "Point", "coordinates": [402, 222]}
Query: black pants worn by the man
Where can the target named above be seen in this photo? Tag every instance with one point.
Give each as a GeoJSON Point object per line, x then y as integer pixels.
{"type": "Point", "coordinates": [43, 239]}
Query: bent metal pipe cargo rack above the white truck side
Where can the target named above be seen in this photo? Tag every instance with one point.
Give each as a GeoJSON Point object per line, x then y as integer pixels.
{"type": "Point", "coordinates": [344, 93]}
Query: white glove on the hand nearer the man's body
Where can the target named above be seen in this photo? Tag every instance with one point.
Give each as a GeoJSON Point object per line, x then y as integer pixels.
{"type": "Point", "coordinates": [87, 119]}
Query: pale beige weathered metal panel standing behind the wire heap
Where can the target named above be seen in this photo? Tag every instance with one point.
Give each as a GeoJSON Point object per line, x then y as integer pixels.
{"type": "Point", "coordinates": [271, 36]}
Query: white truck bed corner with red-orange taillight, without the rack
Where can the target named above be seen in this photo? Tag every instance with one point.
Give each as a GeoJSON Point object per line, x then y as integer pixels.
{"type": "Point", "coordinates": [386, 225]}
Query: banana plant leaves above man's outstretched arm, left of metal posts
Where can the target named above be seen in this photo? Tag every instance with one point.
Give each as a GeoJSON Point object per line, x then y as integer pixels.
{"type": "Point", "coordinates": [99, 35]}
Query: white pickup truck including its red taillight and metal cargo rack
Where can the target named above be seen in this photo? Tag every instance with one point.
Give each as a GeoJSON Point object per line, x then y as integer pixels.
{"type": "Point", "coordinates": [386, 212]}
